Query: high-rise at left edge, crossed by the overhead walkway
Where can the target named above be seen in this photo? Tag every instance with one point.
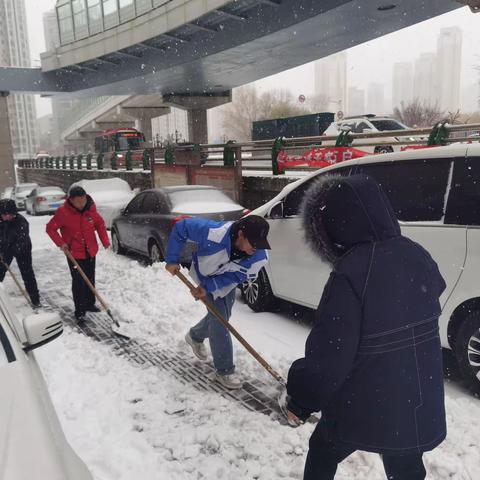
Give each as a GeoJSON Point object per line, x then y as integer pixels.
{"type": "Point", "coordinates": [15, 52]}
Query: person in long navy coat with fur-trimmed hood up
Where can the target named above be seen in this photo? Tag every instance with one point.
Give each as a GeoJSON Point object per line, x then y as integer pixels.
{"type": "Point", "coordinates": [373, 363]}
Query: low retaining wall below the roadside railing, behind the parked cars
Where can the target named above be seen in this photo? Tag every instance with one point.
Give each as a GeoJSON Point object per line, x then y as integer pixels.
{"type": "Point", "coordinates": [256, 190]}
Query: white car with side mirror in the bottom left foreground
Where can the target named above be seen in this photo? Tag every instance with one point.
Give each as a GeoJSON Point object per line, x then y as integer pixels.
{"type": "Point", "coordinates": [32, 443]}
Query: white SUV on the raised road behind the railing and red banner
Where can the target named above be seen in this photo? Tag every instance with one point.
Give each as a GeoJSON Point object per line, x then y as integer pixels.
{"type": "Point", "coordinates": [370, 124]}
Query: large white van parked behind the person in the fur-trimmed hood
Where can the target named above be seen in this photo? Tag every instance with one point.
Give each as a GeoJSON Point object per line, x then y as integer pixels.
{"type": "Point", "coordinates": [436, 196]}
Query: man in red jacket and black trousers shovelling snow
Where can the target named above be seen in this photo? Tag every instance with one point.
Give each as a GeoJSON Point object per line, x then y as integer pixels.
{"type": "Point", "coordinates": [72, 229]}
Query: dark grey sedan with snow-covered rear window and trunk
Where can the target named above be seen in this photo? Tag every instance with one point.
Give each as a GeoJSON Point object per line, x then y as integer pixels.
{"type": "Point", "coordinates": [145, 224]}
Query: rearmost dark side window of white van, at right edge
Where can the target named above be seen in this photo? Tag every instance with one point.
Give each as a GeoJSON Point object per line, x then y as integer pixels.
{"type": "Point", "coordinates": [464, 199]}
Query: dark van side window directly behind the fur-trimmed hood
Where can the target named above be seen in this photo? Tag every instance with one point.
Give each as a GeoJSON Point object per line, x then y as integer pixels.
{"type": "Point", "coordinates": [416, 189]}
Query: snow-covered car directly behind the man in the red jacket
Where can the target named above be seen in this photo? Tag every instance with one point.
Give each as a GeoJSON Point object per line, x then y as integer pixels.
{"type": "Point", "coordinates": [110, 196]}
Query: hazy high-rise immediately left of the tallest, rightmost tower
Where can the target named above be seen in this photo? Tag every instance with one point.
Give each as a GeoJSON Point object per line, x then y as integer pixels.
{"type": "Point", "coordinates": [425, 80]}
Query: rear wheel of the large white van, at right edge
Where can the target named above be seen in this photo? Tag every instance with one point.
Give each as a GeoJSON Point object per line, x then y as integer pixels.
{"type": "Point", "coordinates": [467, 350]}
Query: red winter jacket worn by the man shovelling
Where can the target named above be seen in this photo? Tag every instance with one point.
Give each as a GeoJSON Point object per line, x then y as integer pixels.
{"type": "Point", "coordinates": [77, 229]}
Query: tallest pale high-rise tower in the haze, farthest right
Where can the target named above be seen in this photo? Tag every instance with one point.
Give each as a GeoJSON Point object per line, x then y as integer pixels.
{"type": "Point", "coordinates": [449, 57]}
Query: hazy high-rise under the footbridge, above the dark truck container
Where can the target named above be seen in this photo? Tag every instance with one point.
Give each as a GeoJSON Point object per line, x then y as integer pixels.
{"type": "Point", "coordinates": [331, 81]}
